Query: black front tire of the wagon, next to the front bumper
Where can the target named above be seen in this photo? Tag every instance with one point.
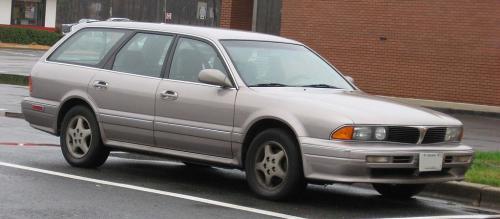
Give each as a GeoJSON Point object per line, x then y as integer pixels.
{"type": "Point", "coordinates": [293, 181]}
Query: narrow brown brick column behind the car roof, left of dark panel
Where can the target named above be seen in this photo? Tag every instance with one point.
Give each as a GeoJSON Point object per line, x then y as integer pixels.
{"type": "Point", "coordinates": [236, 14]}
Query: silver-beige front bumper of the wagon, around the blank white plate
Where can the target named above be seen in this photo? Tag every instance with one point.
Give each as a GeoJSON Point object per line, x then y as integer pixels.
{"type": "Point", "coordinates": [334, 161]}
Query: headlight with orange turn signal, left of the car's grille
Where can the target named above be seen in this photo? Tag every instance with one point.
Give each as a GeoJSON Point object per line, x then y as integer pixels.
{"type": "Point", "coordinates": [360, 133]}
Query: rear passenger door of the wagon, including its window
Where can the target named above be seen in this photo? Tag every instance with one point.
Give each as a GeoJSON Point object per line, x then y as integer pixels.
{"type": "Point", "coordinates": [125, 93]}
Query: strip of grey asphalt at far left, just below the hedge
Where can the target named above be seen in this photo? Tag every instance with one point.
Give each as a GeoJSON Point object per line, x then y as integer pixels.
{"type": "Point", "coordinates": [18, 61]}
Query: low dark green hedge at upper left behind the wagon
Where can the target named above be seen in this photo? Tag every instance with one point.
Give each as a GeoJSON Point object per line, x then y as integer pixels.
{"type": "Point", "coordinates": [28, 36]}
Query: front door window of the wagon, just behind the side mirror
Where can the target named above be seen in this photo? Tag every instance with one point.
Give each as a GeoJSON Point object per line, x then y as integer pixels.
{"type": "Point", "coordinates": [192, 56]}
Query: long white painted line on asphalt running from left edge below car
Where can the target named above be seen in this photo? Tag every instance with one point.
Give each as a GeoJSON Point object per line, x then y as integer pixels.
{"type": "Point", "coordinates": [155, 191]}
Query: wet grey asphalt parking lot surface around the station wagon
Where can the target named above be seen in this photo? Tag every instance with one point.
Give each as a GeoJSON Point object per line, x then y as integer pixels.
{"type": "Point", "coordinates": [36, 181]}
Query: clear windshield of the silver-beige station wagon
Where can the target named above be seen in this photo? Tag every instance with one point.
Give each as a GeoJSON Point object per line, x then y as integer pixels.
{"type": "Point", "coordinates": [270, 64]}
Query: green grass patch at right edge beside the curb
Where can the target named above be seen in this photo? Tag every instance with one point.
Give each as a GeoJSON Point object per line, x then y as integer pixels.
{"type": "Point", "coordinates": [485, 169]}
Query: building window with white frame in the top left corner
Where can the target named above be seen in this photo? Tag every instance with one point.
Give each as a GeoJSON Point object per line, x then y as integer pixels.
{"type": "Point", "coordinates": [28, 12]}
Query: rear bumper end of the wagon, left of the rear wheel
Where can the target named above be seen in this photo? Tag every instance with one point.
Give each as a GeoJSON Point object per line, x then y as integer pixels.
{"type": "Point", "coordinates": [41, 114]}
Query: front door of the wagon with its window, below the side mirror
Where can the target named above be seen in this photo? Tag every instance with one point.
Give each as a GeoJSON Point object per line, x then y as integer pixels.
{"type": "Point", "coordinates": [192, 116]}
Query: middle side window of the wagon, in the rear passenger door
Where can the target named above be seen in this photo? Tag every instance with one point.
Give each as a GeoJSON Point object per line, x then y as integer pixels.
{"type": "Point", "coordinates": [144, 55]}
